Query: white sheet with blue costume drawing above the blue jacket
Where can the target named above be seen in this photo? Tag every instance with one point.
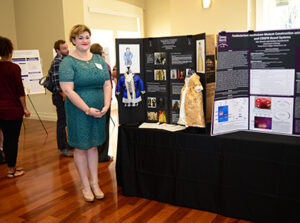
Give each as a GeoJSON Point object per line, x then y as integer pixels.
{"type": "Point", "coordinates": [129, 56]}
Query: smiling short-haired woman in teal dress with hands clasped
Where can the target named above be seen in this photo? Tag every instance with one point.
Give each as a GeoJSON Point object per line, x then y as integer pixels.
{"type": "Point", "coordinates": [85, 80]}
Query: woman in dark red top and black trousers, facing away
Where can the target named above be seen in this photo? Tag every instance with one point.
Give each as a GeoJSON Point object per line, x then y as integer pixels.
{"type": "Point", "coordinates": [12, 106]}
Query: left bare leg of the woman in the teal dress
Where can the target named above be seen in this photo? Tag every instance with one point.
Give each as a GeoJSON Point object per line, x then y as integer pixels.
{"type": "Point", "coordinates": [81, 162]}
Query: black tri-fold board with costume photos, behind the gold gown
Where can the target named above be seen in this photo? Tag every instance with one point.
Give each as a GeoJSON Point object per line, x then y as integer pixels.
{"type": "Point", "coordinates": [160, 66]}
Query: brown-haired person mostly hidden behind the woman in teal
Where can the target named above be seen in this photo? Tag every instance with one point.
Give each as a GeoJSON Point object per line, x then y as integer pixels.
{"type": "Point", "coordinates": [103, 149]}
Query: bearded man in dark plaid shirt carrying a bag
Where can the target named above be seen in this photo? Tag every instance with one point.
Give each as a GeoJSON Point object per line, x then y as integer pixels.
{"type": "Point", "coordinates": [58, 98]}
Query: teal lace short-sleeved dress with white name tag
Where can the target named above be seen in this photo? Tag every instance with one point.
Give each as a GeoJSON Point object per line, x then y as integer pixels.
{"type": "Point", "coordinates": [88, 77]}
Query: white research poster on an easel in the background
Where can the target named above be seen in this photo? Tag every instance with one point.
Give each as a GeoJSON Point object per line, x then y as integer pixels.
{"type": "Point", "coordinates": [31, 70]}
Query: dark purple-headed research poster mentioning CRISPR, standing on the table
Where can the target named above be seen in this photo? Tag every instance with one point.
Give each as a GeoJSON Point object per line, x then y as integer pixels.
{"type": "Point", "coordinates": [258, 82]}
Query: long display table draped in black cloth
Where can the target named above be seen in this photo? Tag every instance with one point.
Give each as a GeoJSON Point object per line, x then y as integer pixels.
{"type": "Point", "coordinates": [243, 175]}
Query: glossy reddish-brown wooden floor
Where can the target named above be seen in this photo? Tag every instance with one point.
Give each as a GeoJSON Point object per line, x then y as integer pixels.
{"type": "Point", "coordinates": [50, 190]}
